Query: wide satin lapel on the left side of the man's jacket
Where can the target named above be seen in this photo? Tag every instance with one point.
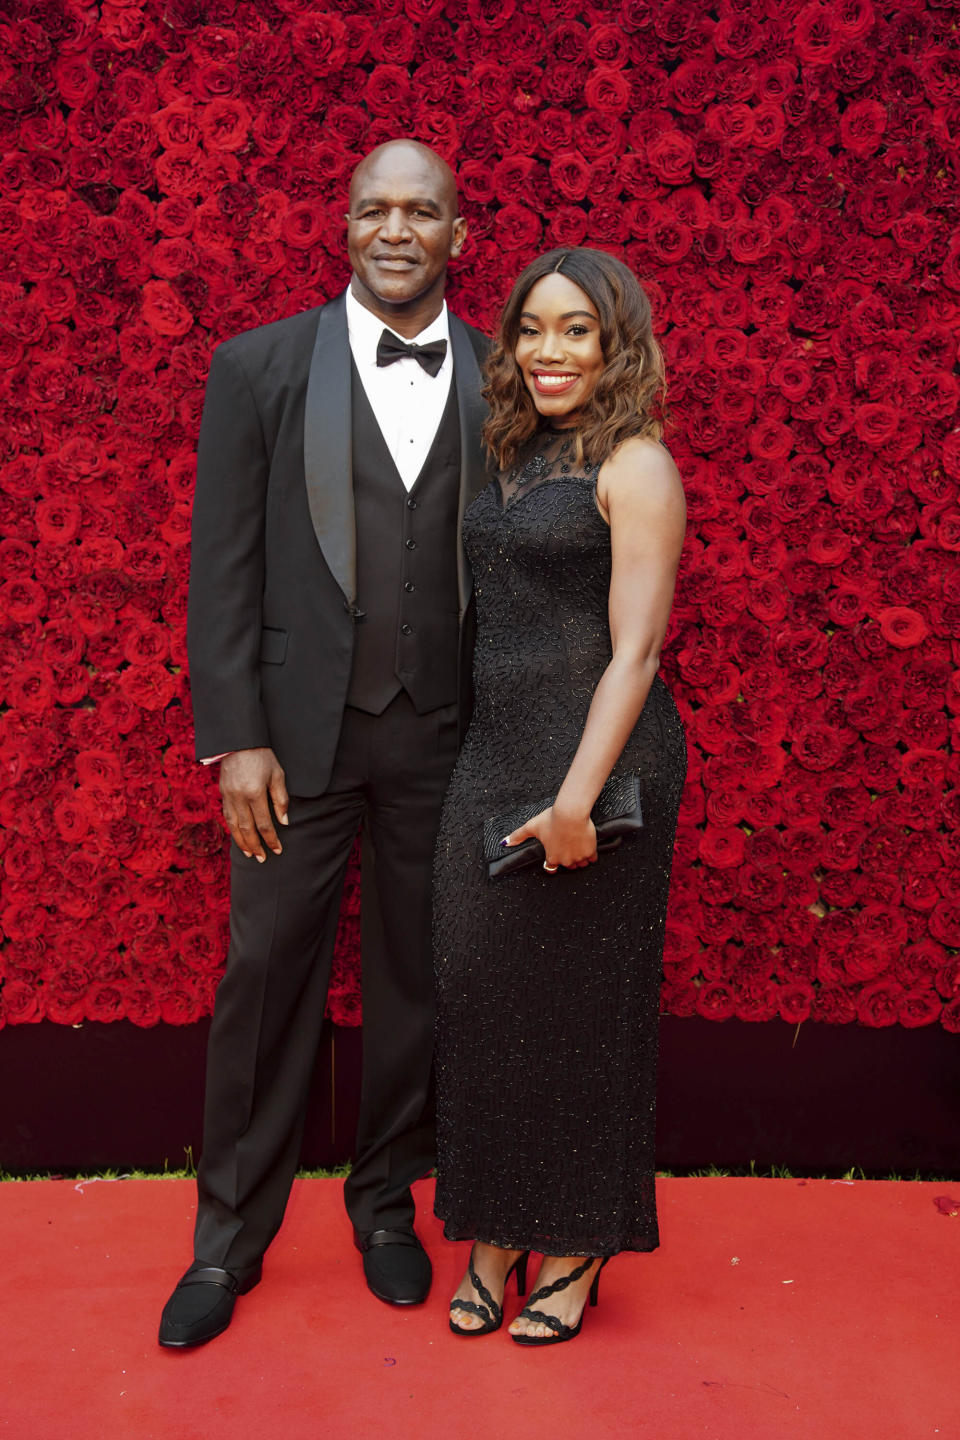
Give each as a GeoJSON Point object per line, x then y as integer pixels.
{"type": "Point", "coordinates": [327, 449]}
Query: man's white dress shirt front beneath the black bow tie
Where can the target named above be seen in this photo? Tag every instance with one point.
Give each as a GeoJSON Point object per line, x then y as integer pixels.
{"type": "Point", "coordinates": [407, 401]}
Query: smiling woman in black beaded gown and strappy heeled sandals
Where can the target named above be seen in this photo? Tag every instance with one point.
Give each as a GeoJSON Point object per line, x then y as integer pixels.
{"type": "Point", "coordinates": [549, 977]}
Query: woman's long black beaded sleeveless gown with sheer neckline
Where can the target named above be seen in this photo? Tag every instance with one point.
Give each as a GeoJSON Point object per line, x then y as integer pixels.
{"type": "Point", "coordinates": [549, 984]}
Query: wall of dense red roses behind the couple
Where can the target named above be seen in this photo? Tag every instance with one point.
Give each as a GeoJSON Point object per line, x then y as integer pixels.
{"type": "Point", "coordinates": [784, 178]}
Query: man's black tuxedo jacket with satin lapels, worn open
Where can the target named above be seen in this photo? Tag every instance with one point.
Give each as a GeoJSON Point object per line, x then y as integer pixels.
{"type": "Point", "coordinates": [273, 570]}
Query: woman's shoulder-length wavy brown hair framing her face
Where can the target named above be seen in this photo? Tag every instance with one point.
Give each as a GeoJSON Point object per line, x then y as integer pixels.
{"type": "Point", "coordinates": [630, 397]}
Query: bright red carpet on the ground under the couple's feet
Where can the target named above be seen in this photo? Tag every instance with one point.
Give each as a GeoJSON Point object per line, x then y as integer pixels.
{"type": "Point", "coordinates": [774, 1308]}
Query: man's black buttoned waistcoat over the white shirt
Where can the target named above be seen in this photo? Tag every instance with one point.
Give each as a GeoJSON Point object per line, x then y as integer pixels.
{"type": "Point", "coordinates": [407, 567]}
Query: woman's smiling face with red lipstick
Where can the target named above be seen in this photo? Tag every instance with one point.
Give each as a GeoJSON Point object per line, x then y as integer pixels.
{"type": "Point", "coordinates": [559, 348]}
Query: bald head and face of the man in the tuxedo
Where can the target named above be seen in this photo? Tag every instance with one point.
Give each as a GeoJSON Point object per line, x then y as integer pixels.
{"type": "Point", "coordinates": [402, 228]}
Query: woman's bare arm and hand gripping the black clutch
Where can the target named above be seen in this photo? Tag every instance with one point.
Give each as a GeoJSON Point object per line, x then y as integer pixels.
{"type": "Point", "coordinates": [641, 496]}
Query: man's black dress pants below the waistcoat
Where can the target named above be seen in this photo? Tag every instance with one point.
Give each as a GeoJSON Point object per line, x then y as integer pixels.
{"type": "Point", "coordinates": [391, 774]}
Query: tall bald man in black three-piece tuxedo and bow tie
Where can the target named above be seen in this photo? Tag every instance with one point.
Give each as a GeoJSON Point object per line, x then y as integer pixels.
{"type": "Point", "coordinates": [329, 639]}
